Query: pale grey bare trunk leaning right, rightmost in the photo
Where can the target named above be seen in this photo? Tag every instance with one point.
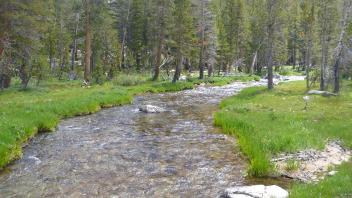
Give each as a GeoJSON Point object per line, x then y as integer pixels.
{"type": "Point", "coordinates": [339, 48]}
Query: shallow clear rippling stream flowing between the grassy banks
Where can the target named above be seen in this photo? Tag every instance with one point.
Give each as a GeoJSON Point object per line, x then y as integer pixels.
{"type": "Point", "coordinates": [121, 152]}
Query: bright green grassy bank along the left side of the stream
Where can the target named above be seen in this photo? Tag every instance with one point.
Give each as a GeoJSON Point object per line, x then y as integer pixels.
{"type": "Point", "coordinates": [24, 113]}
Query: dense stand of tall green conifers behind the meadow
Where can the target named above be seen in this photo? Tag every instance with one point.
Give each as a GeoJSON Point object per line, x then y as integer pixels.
{"type": "Point", "coordinates": [95, 40]}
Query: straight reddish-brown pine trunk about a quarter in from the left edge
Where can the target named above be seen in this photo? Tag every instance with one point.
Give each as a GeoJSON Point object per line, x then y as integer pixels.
{"type": "Point", "coordinates": [88, 43]}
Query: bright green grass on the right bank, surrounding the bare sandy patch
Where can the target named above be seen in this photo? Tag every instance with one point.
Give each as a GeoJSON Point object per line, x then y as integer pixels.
{"type": "Point", "coordinates": [270, 123]}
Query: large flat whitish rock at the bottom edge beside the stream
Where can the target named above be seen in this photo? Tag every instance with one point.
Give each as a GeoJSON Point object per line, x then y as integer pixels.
{"type": "Point", "coordinates": [256, 191]}
